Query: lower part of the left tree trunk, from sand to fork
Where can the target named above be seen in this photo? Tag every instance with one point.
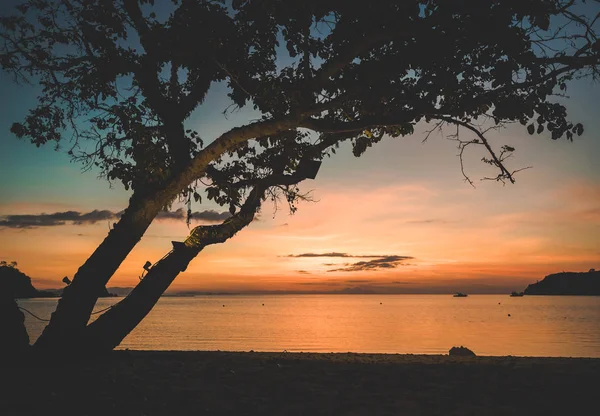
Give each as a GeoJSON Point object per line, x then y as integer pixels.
{"type": "Point", "coordinates": [75, 307]}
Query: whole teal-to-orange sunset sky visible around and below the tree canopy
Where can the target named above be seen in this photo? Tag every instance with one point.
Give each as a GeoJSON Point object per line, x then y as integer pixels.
{"type": "Point", "coordinates": [403, 199]}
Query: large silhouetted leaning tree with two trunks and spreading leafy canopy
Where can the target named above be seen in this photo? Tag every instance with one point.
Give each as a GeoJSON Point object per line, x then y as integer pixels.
{"type": "Point", "coordinates": [120, 78]}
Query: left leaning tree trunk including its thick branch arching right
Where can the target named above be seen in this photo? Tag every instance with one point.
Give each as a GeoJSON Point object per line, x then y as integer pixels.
{"type": "Point", "coordinates": [73, 311]}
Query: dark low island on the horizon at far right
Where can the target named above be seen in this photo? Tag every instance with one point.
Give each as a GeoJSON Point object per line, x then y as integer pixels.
{"type": "Point", "coordinates": [567, 283]}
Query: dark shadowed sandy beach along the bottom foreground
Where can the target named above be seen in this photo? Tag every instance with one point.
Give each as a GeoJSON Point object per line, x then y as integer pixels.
{"type": "Point", "coordinates": [226, 383]}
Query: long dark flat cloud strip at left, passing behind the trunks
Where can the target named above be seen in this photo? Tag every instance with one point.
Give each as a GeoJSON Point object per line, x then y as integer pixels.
{"type": "Point", "coordinates": [92, 217]}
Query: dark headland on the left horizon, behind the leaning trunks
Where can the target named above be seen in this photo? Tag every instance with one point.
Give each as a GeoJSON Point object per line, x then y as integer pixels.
{"type": "Point", "coordinates": [18, 285]}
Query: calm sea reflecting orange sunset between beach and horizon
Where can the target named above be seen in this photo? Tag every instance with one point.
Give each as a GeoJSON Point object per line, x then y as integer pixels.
{"type": "Point", "coordinates": [419, 324]}
